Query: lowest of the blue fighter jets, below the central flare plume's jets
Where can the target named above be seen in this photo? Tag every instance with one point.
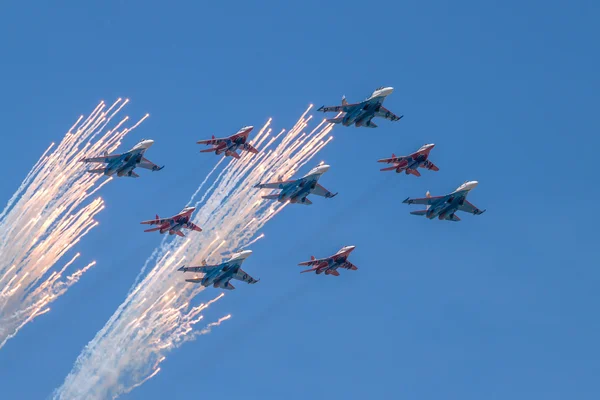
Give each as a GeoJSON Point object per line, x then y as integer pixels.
{"type": "Point", "coordinates": [220, 275]}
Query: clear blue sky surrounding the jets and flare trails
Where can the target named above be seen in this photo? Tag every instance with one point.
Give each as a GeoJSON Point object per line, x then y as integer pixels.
{"type": "Point", "coordinates": [498, 306]}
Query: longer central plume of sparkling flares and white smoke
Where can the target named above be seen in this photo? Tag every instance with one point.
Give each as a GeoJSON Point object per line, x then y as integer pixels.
{"type": "Point", "coordinates": [158, 315]}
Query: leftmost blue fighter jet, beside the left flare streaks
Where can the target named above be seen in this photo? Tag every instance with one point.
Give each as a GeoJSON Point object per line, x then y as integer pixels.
{"type": "Point", "coordinates": [124, 164]}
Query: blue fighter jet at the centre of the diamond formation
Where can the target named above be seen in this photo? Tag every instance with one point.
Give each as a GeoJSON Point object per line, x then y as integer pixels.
{"type": "Point", "coordinates": [296, 191]}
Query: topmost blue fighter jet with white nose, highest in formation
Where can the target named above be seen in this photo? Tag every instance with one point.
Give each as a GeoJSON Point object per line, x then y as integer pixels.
{"type": "Point", "coordinates": [361, 114]}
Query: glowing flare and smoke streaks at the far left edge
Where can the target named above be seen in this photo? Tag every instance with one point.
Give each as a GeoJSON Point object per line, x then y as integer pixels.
{"type": "Point", "coordinates": [52, 210]}
